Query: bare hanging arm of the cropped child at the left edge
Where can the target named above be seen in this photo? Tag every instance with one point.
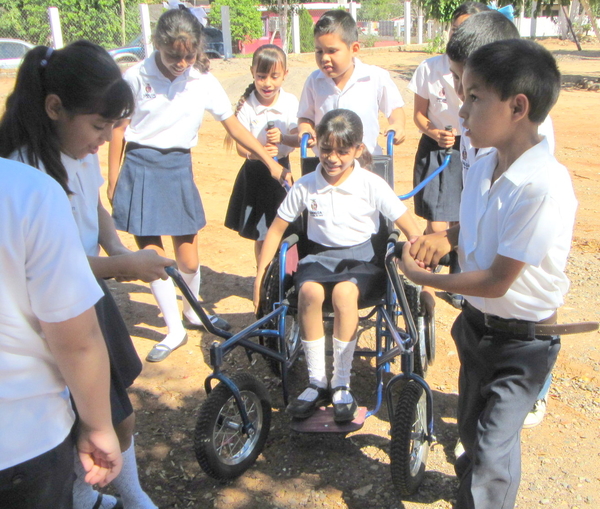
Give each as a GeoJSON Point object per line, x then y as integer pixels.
{"type": "Point", "coordinates": [80, 353]}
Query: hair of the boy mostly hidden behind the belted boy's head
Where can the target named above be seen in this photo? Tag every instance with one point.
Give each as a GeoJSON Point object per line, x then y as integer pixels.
{"type": "Point", "coordinates": [477, 30]}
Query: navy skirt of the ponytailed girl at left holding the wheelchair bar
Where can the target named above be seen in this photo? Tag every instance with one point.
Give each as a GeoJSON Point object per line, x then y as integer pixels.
{"type": "Point", "coordinates": [125, 365]}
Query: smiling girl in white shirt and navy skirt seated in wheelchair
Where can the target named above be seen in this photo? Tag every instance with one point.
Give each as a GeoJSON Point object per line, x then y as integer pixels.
{"type": "Point", "coordinates": [343, 201]}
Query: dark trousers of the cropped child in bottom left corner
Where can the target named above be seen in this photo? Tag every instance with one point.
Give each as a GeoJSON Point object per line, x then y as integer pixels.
{"type": "Point", "coordinates": [43, 482]}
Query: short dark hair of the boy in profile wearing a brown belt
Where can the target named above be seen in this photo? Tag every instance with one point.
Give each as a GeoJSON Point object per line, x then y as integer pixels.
{"type": "Point", "coordinates": [518, 66]}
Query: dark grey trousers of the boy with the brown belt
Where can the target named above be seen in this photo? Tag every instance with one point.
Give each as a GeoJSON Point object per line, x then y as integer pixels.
{"type": "Point", "coordinates": [500, 377]}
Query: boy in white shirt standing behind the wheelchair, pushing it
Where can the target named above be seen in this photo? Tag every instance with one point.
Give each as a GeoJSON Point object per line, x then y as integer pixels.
{"type": "Point", "coordinates": [343, 81]}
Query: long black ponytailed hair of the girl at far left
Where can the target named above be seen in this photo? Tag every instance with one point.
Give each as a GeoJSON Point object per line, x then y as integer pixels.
{"type": "Point", "coordinates": [87, 81]}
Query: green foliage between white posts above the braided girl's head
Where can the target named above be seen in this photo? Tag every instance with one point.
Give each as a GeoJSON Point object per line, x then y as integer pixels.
{"type": "Point", "coordinates": [245, 19]}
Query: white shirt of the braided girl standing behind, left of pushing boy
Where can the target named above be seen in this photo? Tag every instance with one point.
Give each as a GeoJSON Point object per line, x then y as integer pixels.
{"type": "Point", "coordinates": [254, 117]}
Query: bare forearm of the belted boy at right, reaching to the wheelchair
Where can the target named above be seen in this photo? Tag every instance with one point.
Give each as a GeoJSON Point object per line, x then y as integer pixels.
{"type": "Point", "coordinates": [490, 283]}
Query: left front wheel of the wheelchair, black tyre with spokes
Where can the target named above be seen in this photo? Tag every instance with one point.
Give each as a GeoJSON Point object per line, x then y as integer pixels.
{"type": "Point", "coordinates": [222, 449]}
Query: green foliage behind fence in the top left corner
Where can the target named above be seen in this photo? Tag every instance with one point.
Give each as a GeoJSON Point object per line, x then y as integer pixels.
{"type": "Point", "coordinates": [96, 20]}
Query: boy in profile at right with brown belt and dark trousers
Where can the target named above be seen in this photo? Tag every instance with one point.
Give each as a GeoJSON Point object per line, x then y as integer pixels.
{"type": "Point", "coordinates": [513, 239]}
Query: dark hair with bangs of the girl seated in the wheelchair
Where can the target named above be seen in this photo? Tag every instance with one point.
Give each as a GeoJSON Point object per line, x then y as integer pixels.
{"type": "Point", "coordinates": [343, 128]}
